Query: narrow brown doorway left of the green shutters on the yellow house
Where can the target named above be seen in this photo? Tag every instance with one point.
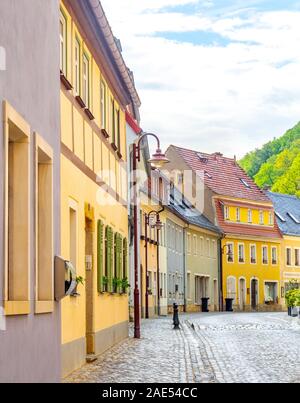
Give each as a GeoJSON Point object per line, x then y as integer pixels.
{"type": "Point", "coordinates": [89, 284]}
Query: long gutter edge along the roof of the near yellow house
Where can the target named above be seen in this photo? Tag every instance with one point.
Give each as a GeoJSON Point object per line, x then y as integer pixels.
{"type": "Point", "coordinates": [118, 58]}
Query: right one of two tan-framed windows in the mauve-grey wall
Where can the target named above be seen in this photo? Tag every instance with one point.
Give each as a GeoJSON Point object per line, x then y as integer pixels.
{"type": "Point", "coordinates": [44, 227]}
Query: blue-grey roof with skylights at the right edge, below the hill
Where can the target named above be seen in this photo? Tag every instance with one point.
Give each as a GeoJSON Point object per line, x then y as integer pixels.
{"type": "Point", "coordinates": [287, 210]}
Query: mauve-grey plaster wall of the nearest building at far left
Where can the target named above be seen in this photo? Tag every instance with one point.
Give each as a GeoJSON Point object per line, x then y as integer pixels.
{"type": "Point", "coordinates": [30, 346]}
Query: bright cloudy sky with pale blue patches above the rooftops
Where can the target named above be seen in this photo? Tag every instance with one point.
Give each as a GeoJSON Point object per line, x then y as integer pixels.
{"type": "Point", "coordinates": [212, 75]}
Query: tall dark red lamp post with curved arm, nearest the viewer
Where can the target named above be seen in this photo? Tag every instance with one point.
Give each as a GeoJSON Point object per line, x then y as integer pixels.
{"type": "Point", "coordinates": [158, 160]}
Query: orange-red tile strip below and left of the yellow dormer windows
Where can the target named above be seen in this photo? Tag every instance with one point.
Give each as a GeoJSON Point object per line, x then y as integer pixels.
{"type": "Point", "coordinates": [245, 229]}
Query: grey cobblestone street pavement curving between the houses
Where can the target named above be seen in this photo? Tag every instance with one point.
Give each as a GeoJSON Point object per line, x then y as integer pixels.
{"type": "Point", "coordinates": [209, 348]}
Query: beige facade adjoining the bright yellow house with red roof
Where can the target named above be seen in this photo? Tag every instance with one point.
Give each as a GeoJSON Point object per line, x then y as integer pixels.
{"type": "Point", "coordinates": [202, 269]}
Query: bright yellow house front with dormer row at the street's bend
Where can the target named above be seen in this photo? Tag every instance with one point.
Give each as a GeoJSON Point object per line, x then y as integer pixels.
{"type": "Point", "coordinates": [251, 255]}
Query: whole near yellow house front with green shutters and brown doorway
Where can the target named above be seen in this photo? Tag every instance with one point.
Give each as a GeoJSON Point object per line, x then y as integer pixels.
{"type": "Point", "coordinates": [94, 216]}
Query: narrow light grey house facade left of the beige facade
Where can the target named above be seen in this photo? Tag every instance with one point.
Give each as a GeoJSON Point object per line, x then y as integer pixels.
{"type": "Point", "coordinates": [175, 260]}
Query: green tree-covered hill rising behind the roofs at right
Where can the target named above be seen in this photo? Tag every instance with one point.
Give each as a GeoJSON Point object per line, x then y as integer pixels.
{"type": "Point", "coordinates": [277, 164]}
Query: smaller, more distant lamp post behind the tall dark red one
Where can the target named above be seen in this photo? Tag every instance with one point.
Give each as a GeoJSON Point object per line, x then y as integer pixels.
{"type": "Point", "coordinates": [158, 226]}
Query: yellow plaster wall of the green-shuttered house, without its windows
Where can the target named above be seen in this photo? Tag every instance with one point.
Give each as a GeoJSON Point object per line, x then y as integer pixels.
{"type": "Point", "coordinates": [93, 176]}
